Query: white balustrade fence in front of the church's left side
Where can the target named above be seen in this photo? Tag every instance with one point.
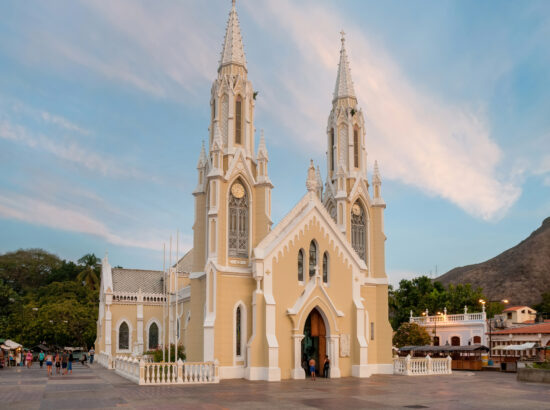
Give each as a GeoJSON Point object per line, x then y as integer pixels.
{"type": "Point", "coordinates": [170, 373]}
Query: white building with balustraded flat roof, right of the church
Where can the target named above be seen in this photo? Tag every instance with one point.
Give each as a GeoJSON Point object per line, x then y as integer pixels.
{"type": "Point", "coordinates": [455, 330]}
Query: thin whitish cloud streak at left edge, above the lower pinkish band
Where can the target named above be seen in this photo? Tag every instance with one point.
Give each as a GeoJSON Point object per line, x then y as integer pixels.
{"type": "Point", "coordinates": [68, 150]}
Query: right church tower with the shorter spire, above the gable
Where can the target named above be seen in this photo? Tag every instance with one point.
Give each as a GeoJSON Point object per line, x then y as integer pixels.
{"type": "Point", "coordinates": [347, 189]}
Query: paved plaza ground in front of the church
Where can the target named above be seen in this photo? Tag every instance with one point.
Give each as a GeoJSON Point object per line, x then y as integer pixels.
{"type": "Point", "coordinates": [96, 387]}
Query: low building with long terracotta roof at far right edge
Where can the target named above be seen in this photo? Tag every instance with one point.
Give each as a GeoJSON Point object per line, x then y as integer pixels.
{"type": "Point", "coordinates": [538, 333]}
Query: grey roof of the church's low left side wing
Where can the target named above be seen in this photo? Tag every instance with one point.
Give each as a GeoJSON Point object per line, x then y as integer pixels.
{"type": "Point", "coordinates": [132, 280]}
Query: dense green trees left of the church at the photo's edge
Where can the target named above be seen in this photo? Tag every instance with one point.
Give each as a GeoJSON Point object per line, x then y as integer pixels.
{"type": "Point", "coordinates": [42, 298]}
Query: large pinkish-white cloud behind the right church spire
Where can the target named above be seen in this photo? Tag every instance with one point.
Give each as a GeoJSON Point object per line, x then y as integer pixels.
{"type": "Point", "coordinates": [419, 138]}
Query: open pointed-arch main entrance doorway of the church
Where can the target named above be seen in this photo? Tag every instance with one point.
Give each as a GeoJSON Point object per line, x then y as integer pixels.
{"type": "Point", "coordinates": [314, 344]}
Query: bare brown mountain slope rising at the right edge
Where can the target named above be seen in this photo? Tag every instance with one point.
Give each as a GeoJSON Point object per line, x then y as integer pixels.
{"type": "Point", "coordinates": [521, 274]}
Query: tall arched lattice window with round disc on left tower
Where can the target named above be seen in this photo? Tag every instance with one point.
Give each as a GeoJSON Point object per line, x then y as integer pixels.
{"type": "Point", "coordinates": [238, 221]}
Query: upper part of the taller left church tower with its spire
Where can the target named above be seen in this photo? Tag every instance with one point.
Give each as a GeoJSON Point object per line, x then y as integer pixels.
{"type": "Point", "coordinates": [233, 195]}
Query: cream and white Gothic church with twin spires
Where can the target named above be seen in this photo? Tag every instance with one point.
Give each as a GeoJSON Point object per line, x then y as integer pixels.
{"type": "Point", "coordinates": [256, 299]}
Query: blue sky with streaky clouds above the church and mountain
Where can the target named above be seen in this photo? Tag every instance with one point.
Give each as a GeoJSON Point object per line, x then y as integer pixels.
{"type": "Point", "coordinates": [104, 106]}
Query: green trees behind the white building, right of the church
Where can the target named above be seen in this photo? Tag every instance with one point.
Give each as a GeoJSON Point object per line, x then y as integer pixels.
{"type": "Point", "coordinates": [422, 293]}
